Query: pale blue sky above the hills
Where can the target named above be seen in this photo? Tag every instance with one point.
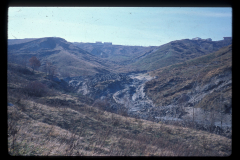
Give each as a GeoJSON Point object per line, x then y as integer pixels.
{"type": "Point", "coordinates": [145, 26]}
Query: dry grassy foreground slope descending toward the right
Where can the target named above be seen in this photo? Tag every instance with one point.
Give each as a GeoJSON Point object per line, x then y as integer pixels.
{"type": "Point", "coordinates": [75, 128]}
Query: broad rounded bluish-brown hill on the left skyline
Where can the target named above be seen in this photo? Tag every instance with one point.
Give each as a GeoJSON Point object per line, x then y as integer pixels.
{"type": "Point", "coordinates": [64, 55]}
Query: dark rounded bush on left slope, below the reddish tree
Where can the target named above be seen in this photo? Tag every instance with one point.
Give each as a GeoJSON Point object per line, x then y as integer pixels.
{"type": "Point", "coordinates": [35, 88]}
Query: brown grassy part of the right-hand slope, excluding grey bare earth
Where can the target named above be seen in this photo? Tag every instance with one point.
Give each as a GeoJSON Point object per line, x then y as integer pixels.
{"type": "Point", "coordinates": [183, 75]}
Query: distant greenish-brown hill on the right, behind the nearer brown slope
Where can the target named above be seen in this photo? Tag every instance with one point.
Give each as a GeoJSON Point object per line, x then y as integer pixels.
{"type": "Point", "coordinates": [176, 52]}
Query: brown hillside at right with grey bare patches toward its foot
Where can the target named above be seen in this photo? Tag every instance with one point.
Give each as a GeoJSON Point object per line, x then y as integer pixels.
{"type": "Point", "coordinates": [199, 89]}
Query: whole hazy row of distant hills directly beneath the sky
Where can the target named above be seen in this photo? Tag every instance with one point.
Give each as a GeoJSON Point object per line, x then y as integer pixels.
{"type": "Point", "coordinates": [91, 58]}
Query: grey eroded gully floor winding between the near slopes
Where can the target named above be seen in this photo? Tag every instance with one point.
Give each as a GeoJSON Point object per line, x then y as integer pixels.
{"type": "Point", "coordinates": [127, 91]}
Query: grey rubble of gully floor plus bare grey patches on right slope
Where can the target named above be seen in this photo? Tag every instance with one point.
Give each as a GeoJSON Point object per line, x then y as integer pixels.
{"type": "Point", "coordinates": [128, 90]}
